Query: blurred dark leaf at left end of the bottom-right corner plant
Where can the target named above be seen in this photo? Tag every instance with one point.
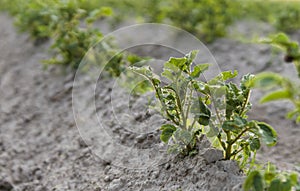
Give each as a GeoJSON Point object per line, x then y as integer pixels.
{"type": "Point", "coordinates": [254, 181]}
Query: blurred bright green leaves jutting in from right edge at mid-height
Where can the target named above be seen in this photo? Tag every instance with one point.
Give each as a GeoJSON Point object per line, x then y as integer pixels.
{"type": "Point", "coordinates": [282, 88]}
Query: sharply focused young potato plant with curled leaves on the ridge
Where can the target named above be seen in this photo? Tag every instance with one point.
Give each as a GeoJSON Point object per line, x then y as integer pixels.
{"type": "Point", "coordinates": [216, 108]}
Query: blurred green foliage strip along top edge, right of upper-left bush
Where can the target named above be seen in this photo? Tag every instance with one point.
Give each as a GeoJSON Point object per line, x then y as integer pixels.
{"type": "Point", "coordinates": [207, 19]}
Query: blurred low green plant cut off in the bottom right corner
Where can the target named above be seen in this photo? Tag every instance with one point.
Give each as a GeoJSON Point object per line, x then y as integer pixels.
{"type": "Point", "coordinates": [271, 179]}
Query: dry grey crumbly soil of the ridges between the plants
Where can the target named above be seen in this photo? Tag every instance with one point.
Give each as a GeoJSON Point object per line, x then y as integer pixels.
{"type": "Point", "coordinates": [46, 145]}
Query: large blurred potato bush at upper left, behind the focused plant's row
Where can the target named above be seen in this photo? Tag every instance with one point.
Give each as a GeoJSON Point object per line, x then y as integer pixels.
{"type": "Point", "coordinates": [71, 41]}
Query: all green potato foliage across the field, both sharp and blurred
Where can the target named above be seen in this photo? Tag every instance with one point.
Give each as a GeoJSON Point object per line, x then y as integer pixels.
{"type": "Point", "coordinates": [194, 108]}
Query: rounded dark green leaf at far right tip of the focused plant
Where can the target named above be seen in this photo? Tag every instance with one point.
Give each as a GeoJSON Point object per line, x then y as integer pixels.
{"type": "Point", "coordinates": [268, 134]}
